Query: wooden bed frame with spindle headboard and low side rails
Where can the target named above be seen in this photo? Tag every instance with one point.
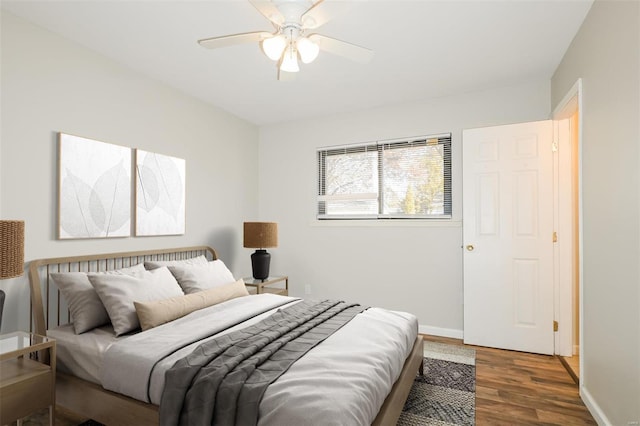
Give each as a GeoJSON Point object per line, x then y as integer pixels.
{"type": "Point", "coordinates": [110, 408]}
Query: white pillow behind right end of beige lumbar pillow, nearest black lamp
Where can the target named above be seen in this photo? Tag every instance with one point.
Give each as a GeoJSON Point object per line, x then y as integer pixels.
{"type": "Point", "coordinates": [194, 278]}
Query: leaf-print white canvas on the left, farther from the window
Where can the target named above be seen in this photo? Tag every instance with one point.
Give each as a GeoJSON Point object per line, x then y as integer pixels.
{"type": "Point", "coordinates": [94, 184]}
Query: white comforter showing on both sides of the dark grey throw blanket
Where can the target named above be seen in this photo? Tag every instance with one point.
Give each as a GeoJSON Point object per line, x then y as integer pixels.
{"type": "Point", "coordinates": [342, 381]}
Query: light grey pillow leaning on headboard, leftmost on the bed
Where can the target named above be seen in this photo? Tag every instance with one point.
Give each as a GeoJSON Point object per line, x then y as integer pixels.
{"type": "Point", "coordinates": [85, 307]}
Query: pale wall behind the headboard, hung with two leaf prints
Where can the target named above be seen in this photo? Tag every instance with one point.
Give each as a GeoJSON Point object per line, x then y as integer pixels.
{"type": "Point", "coordinates": [50, 85]}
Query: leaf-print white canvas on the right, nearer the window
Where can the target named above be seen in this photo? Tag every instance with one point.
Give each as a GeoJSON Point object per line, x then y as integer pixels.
{"type": "Point", "coordinates": [160, 194]}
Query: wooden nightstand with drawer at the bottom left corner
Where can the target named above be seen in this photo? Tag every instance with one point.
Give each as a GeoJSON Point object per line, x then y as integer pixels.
{"type": "Point", "coordinates": [26, 385]}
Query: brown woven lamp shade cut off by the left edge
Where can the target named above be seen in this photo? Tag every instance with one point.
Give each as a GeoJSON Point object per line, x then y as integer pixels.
{"type": "Point", "coordinates": [11, 248]}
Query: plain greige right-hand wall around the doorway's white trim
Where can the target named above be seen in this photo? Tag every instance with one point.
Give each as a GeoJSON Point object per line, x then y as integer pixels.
{"type": "Point", "coordinates": [606, 55]}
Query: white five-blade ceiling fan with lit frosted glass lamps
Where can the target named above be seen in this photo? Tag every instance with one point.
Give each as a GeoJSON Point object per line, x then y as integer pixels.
{"type": "Point", "coordinates": [293, 20]}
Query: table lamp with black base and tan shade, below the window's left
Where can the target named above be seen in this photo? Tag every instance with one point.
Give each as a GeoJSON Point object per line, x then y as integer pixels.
{"type": "Point", "coordinates": [260, 235]}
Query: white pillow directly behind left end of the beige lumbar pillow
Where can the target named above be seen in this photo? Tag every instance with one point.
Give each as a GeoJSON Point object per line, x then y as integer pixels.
{"type": "Point", "coordinates": [118, 292]}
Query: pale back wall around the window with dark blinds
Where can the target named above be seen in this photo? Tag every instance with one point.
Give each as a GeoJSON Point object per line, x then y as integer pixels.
{"type": "Point", "coordinates": [409, 266]}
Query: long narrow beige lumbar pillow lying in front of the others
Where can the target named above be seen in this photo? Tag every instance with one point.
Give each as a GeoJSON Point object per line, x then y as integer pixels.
{"type": "Point", "coordinates": [153, 314]}
